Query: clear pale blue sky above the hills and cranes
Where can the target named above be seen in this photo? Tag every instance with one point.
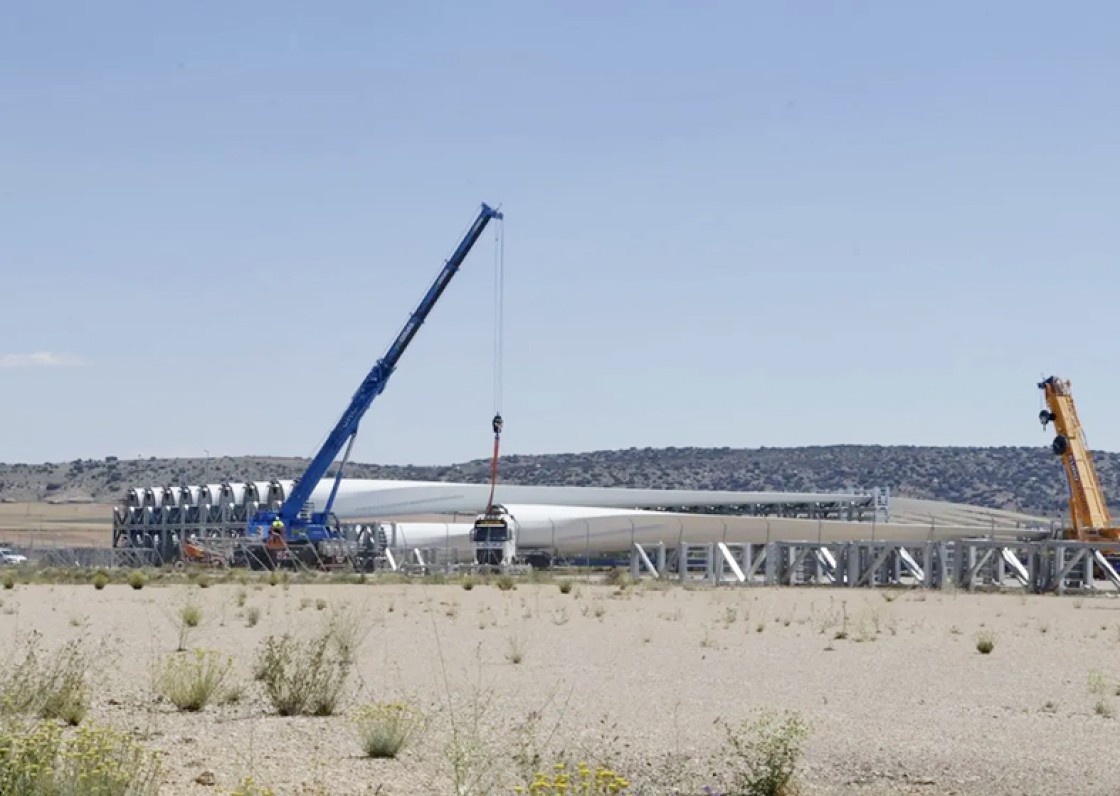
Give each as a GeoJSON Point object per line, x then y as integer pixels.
{"type": "Point", "coordinates": [735, 224]}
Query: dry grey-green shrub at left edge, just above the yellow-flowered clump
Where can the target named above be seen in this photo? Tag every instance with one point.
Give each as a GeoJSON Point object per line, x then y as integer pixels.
{"type": "Point", "coordinates": [50, 687]}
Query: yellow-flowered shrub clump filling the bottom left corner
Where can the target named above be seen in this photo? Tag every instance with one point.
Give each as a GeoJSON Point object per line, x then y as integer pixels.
{"type": "Point", "coordinates": [39, 762]}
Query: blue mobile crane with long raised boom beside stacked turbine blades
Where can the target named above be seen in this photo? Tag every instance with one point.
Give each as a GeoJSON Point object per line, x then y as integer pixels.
{"type": "Point", "coordinates": [300, 528]}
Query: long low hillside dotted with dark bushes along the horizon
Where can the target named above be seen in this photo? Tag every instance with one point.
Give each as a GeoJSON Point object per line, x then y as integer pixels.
{"type": "Point", "coordinates": [1028, 480]}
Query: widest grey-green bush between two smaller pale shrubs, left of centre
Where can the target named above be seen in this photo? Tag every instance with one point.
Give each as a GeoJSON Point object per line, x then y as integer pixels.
{"type": "Point", "coordinates": [302, 678]}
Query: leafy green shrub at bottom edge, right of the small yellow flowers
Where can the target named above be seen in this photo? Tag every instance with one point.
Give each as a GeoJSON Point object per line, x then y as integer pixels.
{"type": "Point", "coordinates": [764, 755]}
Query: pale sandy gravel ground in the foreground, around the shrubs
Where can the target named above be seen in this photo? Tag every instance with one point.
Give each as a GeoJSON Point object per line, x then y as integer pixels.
{"type": "Point", "coordinates": [897, 697]}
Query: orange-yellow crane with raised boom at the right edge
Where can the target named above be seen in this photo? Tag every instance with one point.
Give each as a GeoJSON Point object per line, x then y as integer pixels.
{"type": "Point", "coordinates": [1090, 520]}
